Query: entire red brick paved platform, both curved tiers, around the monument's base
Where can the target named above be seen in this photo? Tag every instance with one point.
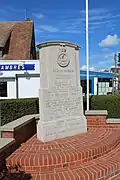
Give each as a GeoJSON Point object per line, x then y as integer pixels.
{"type": "Point", "coordinates": [94, 155]}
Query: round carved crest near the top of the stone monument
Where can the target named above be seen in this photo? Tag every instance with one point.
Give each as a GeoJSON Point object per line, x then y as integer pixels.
{"type": "Point", "coordinates": [63, 60]}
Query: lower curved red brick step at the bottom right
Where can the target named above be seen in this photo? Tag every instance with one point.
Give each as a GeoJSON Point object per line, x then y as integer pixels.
{"type": "Point", "coordinates": [103, 168]}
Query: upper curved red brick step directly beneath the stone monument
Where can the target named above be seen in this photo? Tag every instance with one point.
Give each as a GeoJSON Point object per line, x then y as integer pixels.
{"type": "Point", "coordinates": [37, 157]}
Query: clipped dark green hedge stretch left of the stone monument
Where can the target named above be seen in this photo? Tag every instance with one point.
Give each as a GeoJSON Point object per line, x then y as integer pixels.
{"type": "Point", "coordinates": [11, 109]}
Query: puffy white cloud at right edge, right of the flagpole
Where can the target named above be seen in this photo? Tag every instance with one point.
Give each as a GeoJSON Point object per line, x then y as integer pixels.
{"type": "Point", "coordinates": [110, 40]}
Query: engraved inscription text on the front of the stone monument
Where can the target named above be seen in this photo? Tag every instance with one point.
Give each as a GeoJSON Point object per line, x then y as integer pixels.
{"type": "Point", "coordinates": [63, 99]}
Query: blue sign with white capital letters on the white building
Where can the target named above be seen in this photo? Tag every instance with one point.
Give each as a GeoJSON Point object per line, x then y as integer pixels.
{"type": "Point", "coordinates": [17, 67]}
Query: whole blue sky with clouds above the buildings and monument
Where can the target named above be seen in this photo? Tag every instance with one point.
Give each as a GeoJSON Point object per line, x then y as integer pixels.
{"type": "Point", "coordinates": [65, 20]}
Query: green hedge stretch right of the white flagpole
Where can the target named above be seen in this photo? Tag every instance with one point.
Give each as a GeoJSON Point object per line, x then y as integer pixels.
{"type": "Point", "coordinates": [111, 103]}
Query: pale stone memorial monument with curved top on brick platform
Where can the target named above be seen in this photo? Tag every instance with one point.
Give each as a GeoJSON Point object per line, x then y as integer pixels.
{"type": "Point", "coordinates": [60, 95]}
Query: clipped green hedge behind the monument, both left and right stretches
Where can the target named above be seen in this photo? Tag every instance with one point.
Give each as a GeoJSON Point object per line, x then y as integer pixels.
{"type": "Point", "coordinates": [12, 109]}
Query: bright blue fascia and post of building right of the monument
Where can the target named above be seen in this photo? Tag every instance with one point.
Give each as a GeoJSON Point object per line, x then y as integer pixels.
{"type": "Point", "coordinates": [93, 74]}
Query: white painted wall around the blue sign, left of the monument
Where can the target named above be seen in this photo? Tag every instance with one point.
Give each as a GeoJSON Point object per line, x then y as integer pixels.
{"type": "Point", "coordinates": [27, 88]}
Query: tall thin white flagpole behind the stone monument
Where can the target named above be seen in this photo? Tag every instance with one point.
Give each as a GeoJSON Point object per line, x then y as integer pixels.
{"type": "Point", "coordinates": [87, 54]}
